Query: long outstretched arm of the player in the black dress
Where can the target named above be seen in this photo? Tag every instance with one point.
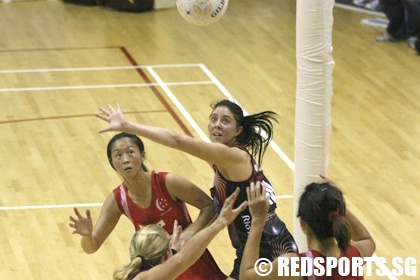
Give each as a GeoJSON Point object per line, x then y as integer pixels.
{"type": "Point", "coordinates": [214, 153]}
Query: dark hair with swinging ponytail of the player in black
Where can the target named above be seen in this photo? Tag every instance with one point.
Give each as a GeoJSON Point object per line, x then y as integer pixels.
{"type": "Point", "coordinates": [253, 126]}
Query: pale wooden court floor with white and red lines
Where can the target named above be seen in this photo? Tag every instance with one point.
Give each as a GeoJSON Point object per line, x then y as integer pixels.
{"type": "Point", "coordinates": [59, 62]}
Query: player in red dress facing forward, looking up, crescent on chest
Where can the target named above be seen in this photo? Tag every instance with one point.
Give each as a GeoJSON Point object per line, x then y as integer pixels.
{"type": "Point", "coordinates": [148, 198]}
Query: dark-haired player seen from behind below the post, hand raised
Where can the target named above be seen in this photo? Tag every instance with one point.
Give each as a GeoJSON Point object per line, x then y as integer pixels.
{"type": "Point", "coordinates": [327, 225]}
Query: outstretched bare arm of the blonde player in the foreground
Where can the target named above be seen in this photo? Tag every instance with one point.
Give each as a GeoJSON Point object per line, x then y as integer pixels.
{"type": "Point", "coordinates": [196, 246]}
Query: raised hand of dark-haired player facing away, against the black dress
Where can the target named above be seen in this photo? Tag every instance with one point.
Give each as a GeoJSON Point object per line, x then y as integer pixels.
{"type": "Point", "coordinates": [257, 201]}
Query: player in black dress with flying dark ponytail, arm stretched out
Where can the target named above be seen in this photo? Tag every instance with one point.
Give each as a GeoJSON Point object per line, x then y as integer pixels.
{"type": "Point", "coordinates": [236, 152]}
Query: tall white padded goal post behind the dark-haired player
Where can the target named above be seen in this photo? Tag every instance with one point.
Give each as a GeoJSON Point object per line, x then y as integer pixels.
{"type": "Point", "coordinates": [314, 20]}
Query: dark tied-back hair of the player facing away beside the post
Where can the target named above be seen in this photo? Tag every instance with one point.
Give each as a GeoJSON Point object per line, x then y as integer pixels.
{"type": "Point", "coordinates": [323, 206]}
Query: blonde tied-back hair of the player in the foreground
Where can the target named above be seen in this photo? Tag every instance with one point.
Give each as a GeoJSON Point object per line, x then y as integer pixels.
{"type": "Point", "coordinates": [147, 248]}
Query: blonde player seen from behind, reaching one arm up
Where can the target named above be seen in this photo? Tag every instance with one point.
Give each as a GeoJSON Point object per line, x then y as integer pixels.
{"type": "Point", "coordinates": [151, 256]}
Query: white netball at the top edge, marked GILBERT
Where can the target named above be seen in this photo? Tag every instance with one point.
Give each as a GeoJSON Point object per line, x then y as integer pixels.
{"type": "Point", "coordinates": [202, 12]}
